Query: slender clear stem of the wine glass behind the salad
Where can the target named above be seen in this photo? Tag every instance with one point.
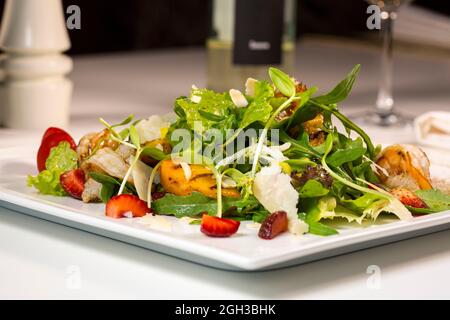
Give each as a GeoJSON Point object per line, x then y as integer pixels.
{"type": "Point", "coordinates": [385, 100]}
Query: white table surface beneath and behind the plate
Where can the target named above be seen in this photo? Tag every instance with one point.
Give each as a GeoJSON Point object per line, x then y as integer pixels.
{"type": "Point", "coordinates": [39, 259]}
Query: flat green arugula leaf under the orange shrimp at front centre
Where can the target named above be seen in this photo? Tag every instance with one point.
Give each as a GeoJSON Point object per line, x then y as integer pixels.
{"type": "Point", "coordinates": [196, 203]}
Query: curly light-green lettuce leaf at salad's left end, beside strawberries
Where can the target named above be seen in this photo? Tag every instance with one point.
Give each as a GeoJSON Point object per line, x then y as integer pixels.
{"type": "Point", "coordinates": [61, 159]}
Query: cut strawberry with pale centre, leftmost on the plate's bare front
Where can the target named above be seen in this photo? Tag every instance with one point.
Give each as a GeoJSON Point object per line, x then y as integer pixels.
{"type": "Point", "coordinates": [119, 205]}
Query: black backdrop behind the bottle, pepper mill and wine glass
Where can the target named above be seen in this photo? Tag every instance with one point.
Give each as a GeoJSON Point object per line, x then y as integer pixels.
{"type": "Point", "coordinates": [113, 25]}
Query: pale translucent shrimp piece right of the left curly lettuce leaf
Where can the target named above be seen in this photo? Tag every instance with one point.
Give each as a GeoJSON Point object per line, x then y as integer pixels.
{"type": "Point", "coordinates": [107, 161]}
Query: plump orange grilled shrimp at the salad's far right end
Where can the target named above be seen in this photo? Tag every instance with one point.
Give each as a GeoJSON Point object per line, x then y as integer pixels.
{"type": "Point", "coordinates": [404, 166]}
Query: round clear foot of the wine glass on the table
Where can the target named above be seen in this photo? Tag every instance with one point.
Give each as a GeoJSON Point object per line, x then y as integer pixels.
{"type": "Point", "coordinates": [382, 120]}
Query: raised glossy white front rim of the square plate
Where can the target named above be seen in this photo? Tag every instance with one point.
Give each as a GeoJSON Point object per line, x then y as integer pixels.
{"type": "Point", "coordinates": [370, 237]}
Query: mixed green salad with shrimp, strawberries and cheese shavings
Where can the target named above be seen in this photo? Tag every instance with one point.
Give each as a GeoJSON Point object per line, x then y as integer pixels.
{"type": "Point", "coordinates": [277, 153]}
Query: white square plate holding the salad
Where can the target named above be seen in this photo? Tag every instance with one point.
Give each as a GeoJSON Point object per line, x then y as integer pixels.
{"type": "Point", "coordinates": [244, 251]}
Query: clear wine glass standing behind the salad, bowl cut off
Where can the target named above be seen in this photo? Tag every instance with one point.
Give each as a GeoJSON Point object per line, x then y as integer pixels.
{"type": "Point", "coordinates": [384, 114]}
